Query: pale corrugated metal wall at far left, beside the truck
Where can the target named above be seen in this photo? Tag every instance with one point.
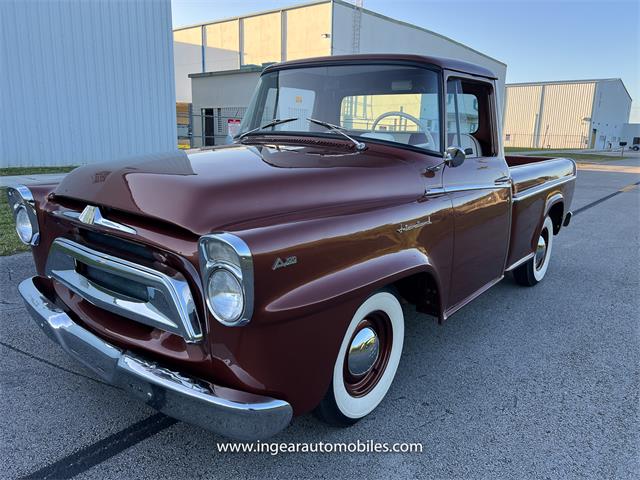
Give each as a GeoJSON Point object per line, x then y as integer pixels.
{"type": "Point", "coordinates": [84, 82]}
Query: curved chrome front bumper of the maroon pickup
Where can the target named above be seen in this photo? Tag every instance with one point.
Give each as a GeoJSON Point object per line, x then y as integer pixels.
{"type": "Point", "coordinates": [232, 413]}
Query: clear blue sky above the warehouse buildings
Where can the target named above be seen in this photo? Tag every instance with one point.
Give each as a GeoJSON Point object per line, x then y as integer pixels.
{"type": "Point", "coordinates": [538, 40]}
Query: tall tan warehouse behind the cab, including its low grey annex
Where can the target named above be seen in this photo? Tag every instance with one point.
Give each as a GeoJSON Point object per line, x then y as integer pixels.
{"type": "Point", "coordinates": [217, 64]}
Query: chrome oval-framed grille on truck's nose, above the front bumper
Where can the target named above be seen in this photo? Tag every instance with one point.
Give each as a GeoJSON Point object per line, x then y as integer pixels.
{"type": "Point", "coordinates": [125, 288]}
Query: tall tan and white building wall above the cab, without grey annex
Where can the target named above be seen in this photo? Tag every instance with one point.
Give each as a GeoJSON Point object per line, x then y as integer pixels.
{"type": "Point", "coordinates": [309, 30]}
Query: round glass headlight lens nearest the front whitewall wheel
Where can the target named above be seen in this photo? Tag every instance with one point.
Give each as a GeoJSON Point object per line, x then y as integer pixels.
{"type": "Point", "coordinates": [225, 296]}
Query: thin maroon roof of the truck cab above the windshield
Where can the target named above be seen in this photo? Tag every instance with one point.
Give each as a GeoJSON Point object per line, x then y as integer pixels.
{"type": "Point", "coordinates": [440, 62]}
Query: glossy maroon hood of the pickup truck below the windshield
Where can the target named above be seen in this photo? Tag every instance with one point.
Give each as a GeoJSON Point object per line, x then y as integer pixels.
{"type": "Point", "coordinates": [242, 186]}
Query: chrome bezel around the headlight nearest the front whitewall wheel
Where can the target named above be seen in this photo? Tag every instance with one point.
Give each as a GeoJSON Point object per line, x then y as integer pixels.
{"type": "Point", "coordinates": [239, 264]}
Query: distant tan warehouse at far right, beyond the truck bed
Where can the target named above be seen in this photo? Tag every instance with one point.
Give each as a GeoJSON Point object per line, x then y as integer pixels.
{"type": "Point", "coordinates": [567, 114]}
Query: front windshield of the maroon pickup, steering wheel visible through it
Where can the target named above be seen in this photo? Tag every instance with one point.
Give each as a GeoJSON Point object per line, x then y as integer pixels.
{"type": "Point", "coordinates": [381, 103]}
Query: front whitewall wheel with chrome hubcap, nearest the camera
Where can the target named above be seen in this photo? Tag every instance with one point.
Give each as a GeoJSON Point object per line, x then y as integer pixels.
{"type": "Point", "coordinates": [367, 361]}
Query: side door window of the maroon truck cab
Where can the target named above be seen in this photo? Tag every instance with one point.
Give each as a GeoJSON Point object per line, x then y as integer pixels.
{"type": "Point", "coordinates": [469, 117]}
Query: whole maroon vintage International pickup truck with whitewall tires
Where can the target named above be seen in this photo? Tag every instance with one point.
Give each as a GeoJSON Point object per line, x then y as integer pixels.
{"type": "Point", "coordinates": [239, 286]}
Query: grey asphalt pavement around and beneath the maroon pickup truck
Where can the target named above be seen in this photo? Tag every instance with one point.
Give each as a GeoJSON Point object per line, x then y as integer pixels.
{"type": "Point", "coordinates": [539, 382]}
